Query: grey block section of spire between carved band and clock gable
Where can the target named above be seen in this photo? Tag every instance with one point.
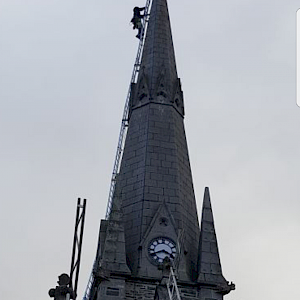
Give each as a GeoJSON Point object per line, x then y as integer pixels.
{"type": "Point", "coordinates": [155, 168]}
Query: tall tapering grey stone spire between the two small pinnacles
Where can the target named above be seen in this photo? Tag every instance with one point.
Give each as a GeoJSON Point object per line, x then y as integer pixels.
{"type": "Point", "coordinates": [155, 167]}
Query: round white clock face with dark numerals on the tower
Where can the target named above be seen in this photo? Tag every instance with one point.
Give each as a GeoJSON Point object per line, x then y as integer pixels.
{"type": "Point", "coordinates": [160, 248]}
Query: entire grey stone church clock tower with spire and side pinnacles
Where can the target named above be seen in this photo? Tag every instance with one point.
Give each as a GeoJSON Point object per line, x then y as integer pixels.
{"type": "Point", "coordinates": [154, 214]}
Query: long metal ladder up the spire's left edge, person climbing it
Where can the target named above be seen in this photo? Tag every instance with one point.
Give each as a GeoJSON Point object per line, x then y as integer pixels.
{"type": "Point", "coordinates": [122, 137]}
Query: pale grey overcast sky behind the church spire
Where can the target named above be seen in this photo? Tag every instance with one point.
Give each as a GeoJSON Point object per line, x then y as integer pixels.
{"type": "Point", "coordinates": [65, 68]}
